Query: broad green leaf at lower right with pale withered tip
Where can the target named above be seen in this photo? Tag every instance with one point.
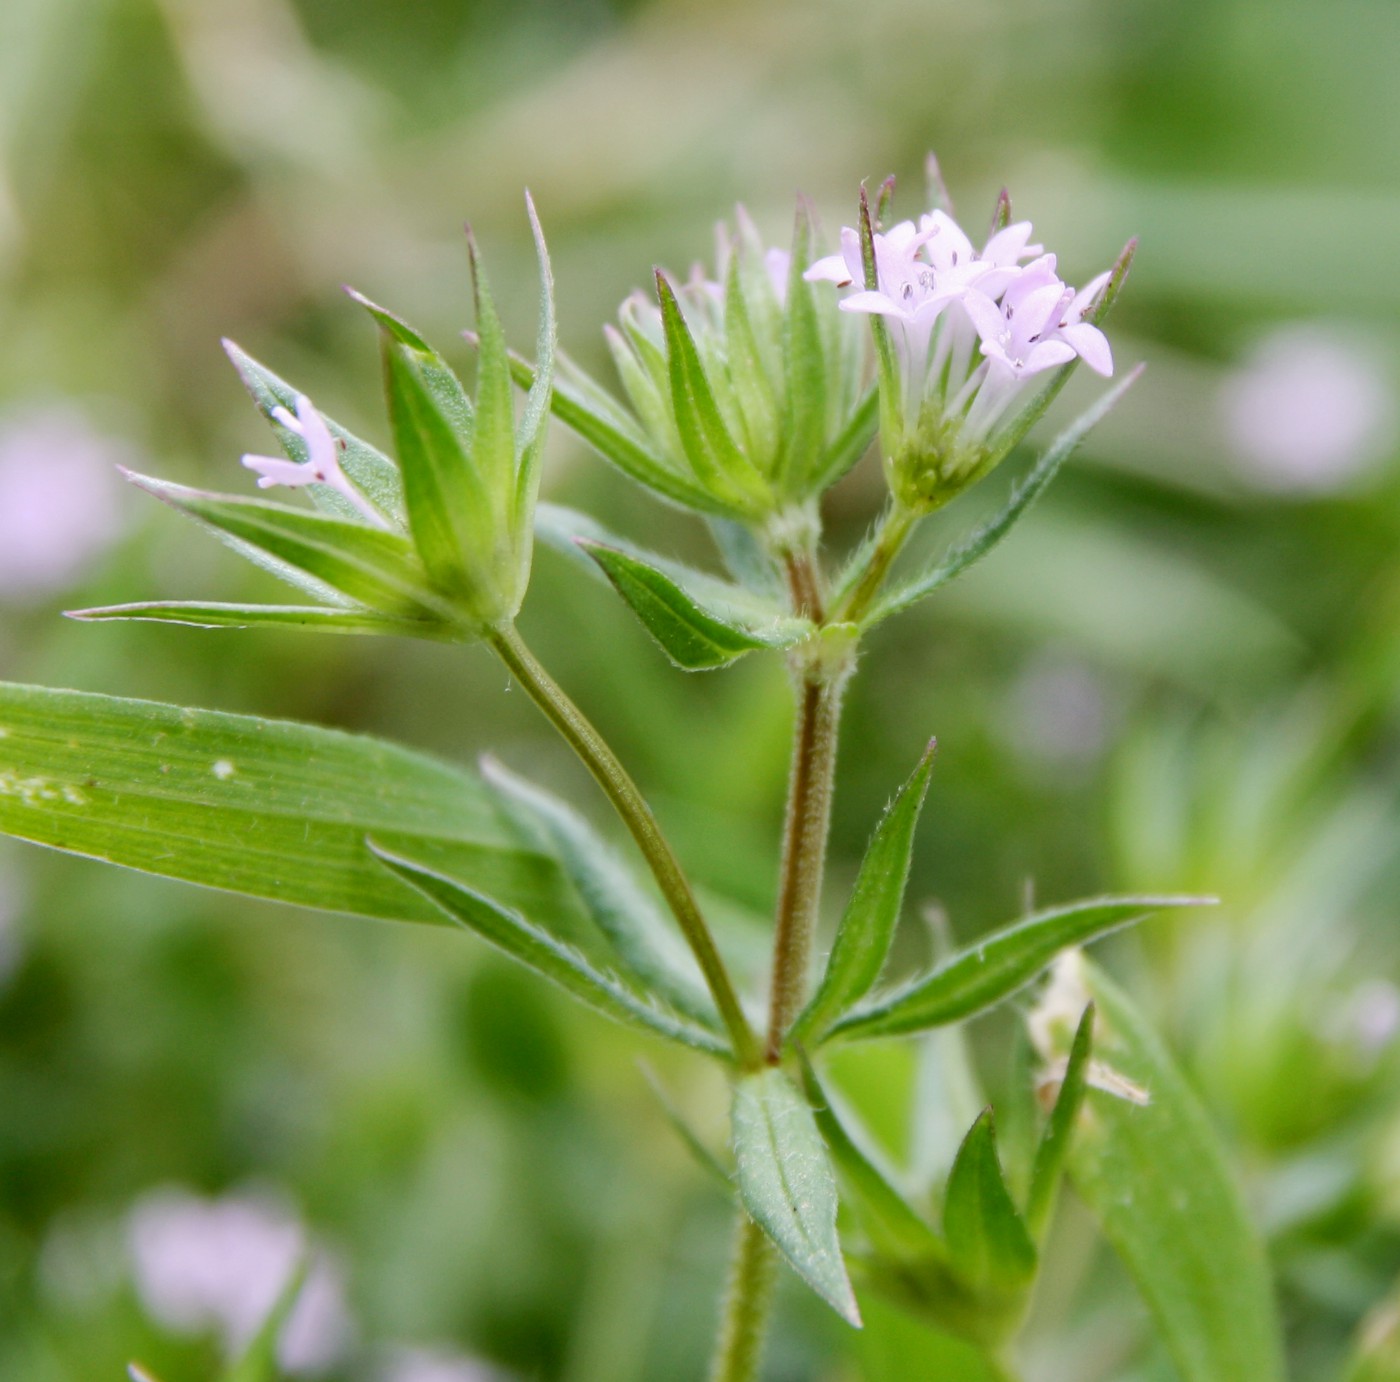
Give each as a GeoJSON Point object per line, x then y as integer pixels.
{"type": "Point", "coordinates": [1160, 1184]}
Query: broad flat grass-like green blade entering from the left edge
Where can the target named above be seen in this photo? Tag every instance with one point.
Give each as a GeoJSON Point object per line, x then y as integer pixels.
{"type": "Point", "coordinates": [258, 807]}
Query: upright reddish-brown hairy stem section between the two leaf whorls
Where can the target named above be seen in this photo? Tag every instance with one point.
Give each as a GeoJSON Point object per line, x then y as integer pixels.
{"type": "Point", "coordinates": [821, 691]}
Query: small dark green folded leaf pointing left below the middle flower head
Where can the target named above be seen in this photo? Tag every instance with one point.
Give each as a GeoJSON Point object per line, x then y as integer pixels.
{"type": "Point", "coordinates": [694, 636]}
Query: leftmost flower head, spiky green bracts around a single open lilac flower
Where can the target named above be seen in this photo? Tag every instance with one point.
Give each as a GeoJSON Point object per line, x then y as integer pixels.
{"type": "Point", "coordinates": [439, 547]}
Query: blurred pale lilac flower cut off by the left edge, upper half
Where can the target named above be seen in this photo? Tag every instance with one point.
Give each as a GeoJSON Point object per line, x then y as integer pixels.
{"type": "Point", "coordinates": [59, 499]}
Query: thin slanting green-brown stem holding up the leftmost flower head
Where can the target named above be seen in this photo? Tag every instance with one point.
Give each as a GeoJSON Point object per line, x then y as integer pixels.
{"type": "Point", "coordinates": [628, 802]}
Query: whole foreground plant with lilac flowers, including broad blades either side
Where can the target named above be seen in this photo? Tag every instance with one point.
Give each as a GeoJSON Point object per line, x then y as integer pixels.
{"type": "Point", "coordinates": [747, 397]}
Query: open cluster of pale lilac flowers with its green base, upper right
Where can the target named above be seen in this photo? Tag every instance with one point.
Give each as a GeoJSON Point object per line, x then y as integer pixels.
{"type": "Point", "coordinates": [967, 333]}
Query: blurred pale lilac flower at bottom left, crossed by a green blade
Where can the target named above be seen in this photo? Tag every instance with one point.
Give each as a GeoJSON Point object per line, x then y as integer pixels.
{"type": "Point", "coordinates": [222, 1265]}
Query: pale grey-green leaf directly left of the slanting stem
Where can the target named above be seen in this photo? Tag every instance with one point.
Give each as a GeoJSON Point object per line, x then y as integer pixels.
{"type": "Point", "coordinates": [646, 944]}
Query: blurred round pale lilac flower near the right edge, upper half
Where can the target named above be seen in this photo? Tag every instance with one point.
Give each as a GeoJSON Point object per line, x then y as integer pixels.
{"type": "Point", "coordinates": [1311, 410]}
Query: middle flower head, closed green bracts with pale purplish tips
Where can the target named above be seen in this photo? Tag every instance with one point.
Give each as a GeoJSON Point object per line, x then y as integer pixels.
{"type": "Point", "coordinates": [745, 393]}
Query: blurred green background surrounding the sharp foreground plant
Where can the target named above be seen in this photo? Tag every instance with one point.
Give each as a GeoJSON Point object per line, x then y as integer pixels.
{"type": "Point", "coordinates": [1182, 673]}
